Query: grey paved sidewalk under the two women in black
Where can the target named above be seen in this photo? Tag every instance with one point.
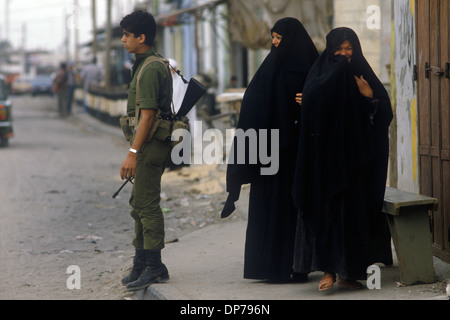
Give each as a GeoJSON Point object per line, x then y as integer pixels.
{"type": "Point", "coordinates": [208, 265]}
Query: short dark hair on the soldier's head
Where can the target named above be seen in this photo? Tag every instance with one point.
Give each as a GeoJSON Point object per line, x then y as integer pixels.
{"type": "Point", "coordinates": [140, 22]}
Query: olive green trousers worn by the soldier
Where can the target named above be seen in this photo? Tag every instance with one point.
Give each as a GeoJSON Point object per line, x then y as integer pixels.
{"type": "Point", "coordinates": [146, 195]}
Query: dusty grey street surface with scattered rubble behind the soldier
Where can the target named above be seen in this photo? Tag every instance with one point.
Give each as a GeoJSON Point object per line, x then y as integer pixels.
{"type": "Point", "coordinates": [58, 177]}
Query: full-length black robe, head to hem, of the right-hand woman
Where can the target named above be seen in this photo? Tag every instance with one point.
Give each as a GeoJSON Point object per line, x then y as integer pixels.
{"type": "Point", "coordinates": [341, 167]}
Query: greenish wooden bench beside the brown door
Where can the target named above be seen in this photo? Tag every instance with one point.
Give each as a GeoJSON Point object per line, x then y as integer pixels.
{"type": "Point", "coordinates": [409, 223]}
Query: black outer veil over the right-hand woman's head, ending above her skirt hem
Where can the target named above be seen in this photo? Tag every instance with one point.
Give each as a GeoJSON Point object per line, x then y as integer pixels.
{"type": "Point", "coordinates": [341, 131]}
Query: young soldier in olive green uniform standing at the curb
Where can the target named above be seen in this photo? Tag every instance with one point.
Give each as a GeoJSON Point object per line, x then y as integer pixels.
{"type": "Point", "coordinates": [146, 158]}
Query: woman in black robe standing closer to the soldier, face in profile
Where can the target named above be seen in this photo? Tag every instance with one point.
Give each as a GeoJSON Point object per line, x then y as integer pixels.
{"type": "Point", "coordinates": [269, 103]}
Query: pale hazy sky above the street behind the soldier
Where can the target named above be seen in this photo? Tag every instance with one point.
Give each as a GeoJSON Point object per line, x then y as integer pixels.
{"type": "Point", "coordinates": [45, 24]}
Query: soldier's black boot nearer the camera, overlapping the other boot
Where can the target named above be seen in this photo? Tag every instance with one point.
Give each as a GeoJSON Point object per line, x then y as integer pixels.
{"type": "Point", "coordinates": [154, 272]}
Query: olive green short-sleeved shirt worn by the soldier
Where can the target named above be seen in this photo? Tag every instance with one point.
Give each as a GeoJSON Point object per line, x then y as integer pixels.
{"type": "Point", "coordinates": [155, 86]}
